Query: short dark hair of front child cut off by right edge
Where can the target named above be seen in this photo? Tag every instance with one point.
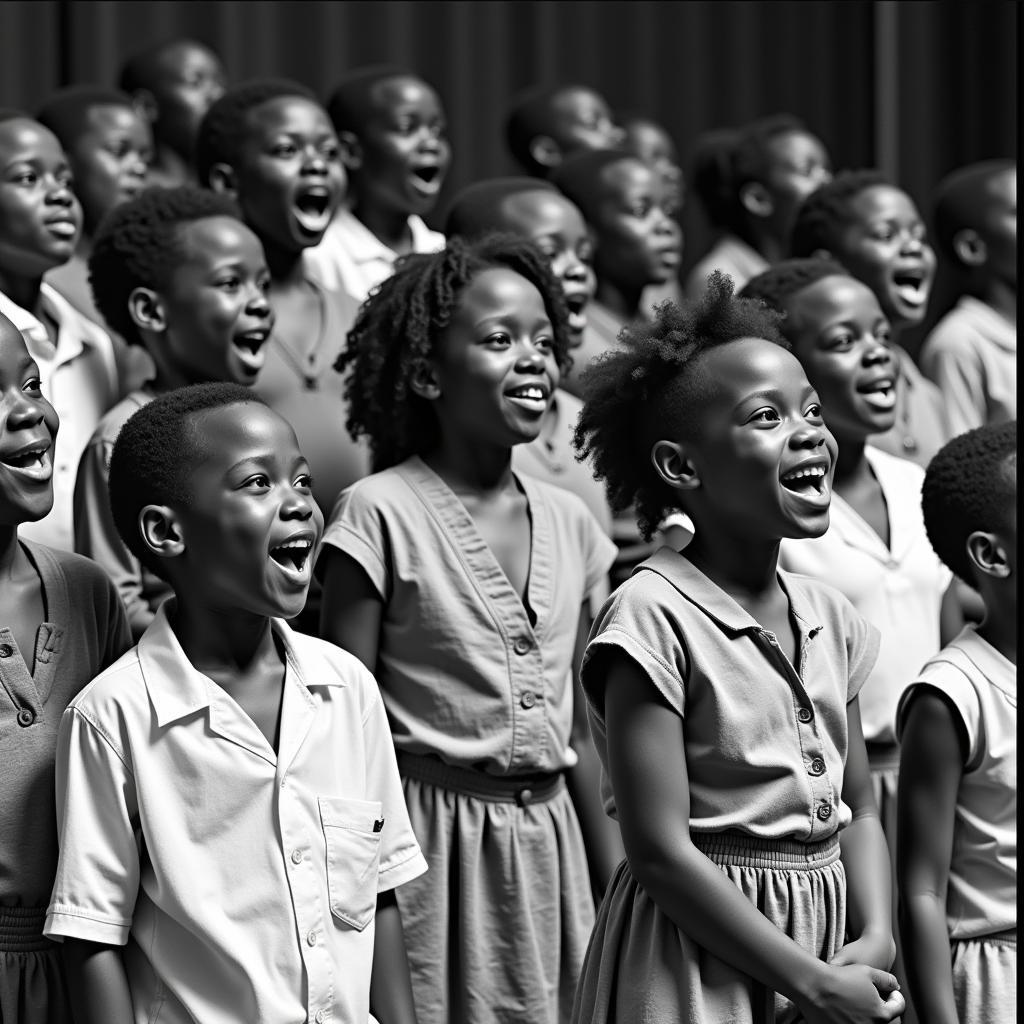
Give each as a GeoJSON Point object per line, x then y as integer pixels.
{"type": "Point", "coordinates": [968, 488]}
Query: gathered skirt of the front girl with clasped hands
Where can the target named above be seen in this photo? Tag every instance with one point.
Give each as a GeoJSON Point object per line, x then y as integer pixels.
{"type": "Point", "coordinates": [642, 969]}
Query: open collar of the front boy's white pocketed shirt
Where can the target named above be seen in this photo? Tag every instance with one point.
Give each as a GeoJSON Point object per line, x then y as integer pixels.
{"type": "Point", "coordinates": [178, 689]}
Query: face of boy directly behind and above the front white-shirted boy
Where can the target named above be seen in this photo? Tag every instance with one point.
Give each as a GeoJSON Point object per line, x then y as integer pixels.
{"type": "Point", "coordinates": [216, 305]}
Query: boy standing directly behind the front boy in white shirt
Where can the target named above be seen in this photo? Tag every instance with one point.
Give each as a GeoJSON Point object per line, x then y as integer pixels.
{"type": "Point", "coordinates": [176, 273]}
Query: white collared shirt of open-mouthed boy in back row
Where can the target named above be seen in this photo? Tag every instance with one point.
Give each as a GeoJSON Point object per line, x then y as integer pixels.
{"type": "Point", "coordinates": [352, 259]}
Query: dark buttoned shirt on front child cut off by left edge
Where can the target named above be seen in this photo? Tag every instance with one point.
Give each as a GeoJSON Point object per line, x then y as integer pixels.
{"type": "Point", "coordinates": [84, 632]}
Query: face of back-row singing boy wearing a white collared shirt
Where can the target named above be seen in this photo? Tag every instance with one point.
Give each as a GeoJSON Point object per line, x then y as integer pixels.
{"type": "Point", "coordinates": [403, 149]}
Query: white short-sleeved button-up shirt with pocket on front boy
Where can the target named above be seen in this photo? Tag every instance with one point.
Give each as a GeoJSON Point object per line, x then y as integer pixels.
{"type": "Point", "coordinates": [242, 881]}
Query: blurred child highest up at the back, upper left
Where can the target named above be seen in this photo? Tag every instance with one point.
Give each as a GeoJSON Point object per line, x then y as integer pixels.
{"type": "Point", "coordinates": [174, 86]}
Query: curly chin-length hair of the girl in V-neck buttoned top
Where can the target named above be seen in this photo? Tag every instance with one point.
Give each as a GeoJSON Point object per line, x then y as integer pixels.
{"type": "Point", "coordinates": [398, 329]}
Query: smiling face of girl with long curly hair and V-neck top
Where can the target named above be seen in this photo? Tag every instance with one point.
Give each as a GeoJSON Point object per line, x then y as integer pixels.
{"type": "Point", "coordinates": [495, 364]}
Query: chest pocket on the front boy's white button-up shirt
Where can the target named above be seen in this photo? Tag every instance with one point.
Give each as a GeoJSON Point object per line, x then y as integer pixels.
{"type": "Point", "coordinates": [353, 831]}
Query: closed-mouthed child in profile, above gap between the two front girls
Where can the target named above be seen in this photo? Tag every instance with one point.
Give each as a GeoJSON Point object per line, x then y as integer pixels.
{"type": "Point", "coordinates": [637, 243]}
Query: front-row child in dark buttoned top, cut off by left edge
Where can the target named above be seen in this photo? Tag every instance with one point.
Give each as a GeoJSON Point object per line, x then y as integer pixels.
{"type": "Point", "coordinates": [61, 624]}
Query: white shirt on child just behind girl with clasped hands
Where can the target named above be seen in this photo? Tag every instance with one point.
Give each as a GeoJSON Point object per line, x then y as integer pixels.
{"type": "Point", "coordinates": [899, 589]}
